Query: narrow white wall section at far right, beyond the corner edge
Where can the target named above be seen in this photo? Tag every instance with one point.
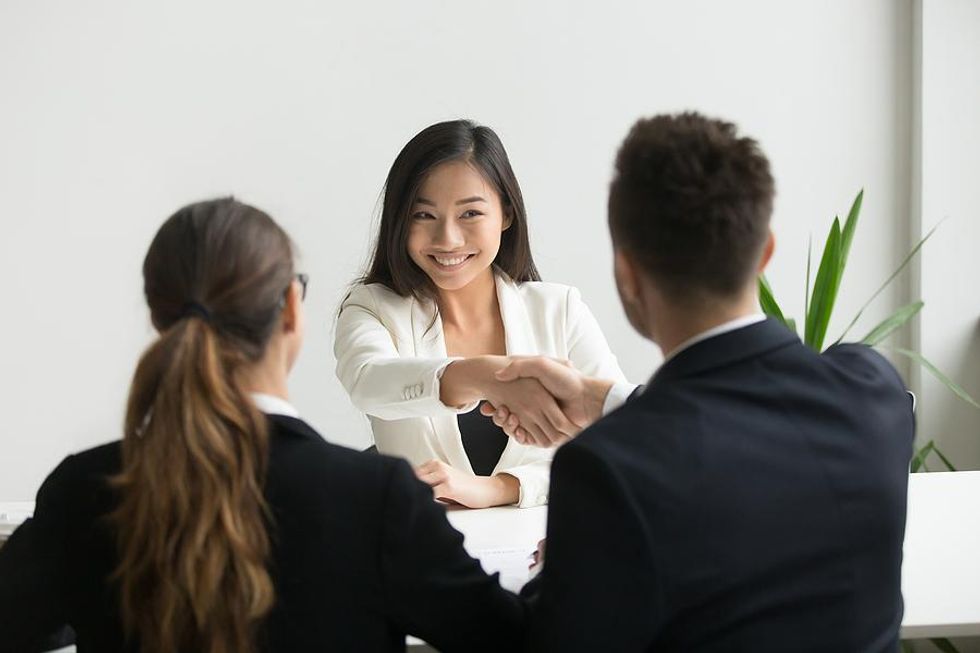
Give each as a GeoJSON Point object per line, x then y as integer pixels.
{"type": "Point", "coordinates": [950, 268]}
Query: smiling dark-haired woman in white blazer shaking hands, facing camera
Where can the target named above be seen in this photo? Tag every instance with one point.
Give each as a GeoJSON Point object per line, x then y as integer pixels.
{"type": "Point", "coordinates": [451, 296]}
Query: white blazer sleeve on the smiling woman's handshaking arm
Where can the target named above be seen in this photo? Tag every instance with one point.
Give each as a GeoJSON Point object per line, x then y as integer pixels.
{"type": "Point", "coordinates": [380, 381]}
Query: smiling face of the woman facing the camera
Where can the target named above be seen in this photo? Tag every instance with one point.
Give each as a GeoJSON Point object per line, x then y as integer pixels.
{"type": "Point", "coordinates": [457, 220]}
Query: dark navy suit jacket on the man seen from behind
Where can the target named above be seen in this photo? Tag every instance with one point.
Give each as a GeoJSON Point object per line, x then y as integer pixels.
{"type": "Point", "coordinates": [752, 498]}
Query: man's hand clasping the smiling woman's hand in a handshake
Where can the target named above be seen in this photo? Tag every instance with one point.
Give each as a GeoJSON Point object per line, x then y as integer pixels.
{"type": "Point", "coordinates": [579, 397]}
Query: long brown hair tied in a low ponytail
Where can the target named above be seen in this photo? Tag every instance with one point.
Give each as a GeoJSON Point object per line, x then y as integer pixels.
{"type": "Point", "coordinates": [191, 522]}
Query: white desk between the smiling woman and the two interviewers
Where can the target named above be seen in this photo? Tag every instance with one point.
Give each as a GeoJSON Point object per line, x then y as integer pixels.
{"type": "Point", "coordinates": [940, 577]}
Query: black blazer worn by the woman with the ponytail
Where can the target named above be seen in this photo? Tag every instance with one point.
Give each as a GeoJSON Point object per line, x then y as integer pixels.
{"type": "Point", "coordinates": [362, 555]}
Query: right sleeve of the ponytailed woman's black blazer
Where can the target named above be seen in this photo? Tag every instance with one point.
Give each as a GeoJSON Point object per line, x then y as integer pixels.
{"type": "Point", "coordinates": [434, 589]}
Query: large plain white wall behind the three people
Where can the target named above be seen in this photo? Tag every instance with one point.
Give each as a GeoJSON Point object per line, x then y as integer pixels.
{"type": "Point", "coordinates": [113, 114]}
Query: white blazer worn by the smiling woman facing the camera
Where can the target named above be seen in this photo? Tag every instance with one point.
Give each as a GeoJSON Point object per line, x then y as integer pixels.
{"type": "Point", "coordinates": [391, 354]}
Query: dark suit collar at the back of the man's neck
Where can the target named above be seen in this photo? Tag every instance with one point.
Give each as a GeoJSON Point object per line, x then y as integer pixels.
{"type": "Point", "coordinates": [725, 349]}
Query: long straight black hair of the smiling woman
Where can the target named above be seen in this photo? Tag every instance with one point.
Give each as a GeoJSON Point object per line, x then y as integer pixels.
{"type": "Point", "coordinates": [456, 140]}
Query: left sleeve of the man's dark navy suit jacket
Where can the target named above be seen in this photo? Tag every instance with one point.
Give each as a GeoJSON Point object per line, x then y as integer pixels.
{"type": "Point", "coordinates": [597, 590]}
